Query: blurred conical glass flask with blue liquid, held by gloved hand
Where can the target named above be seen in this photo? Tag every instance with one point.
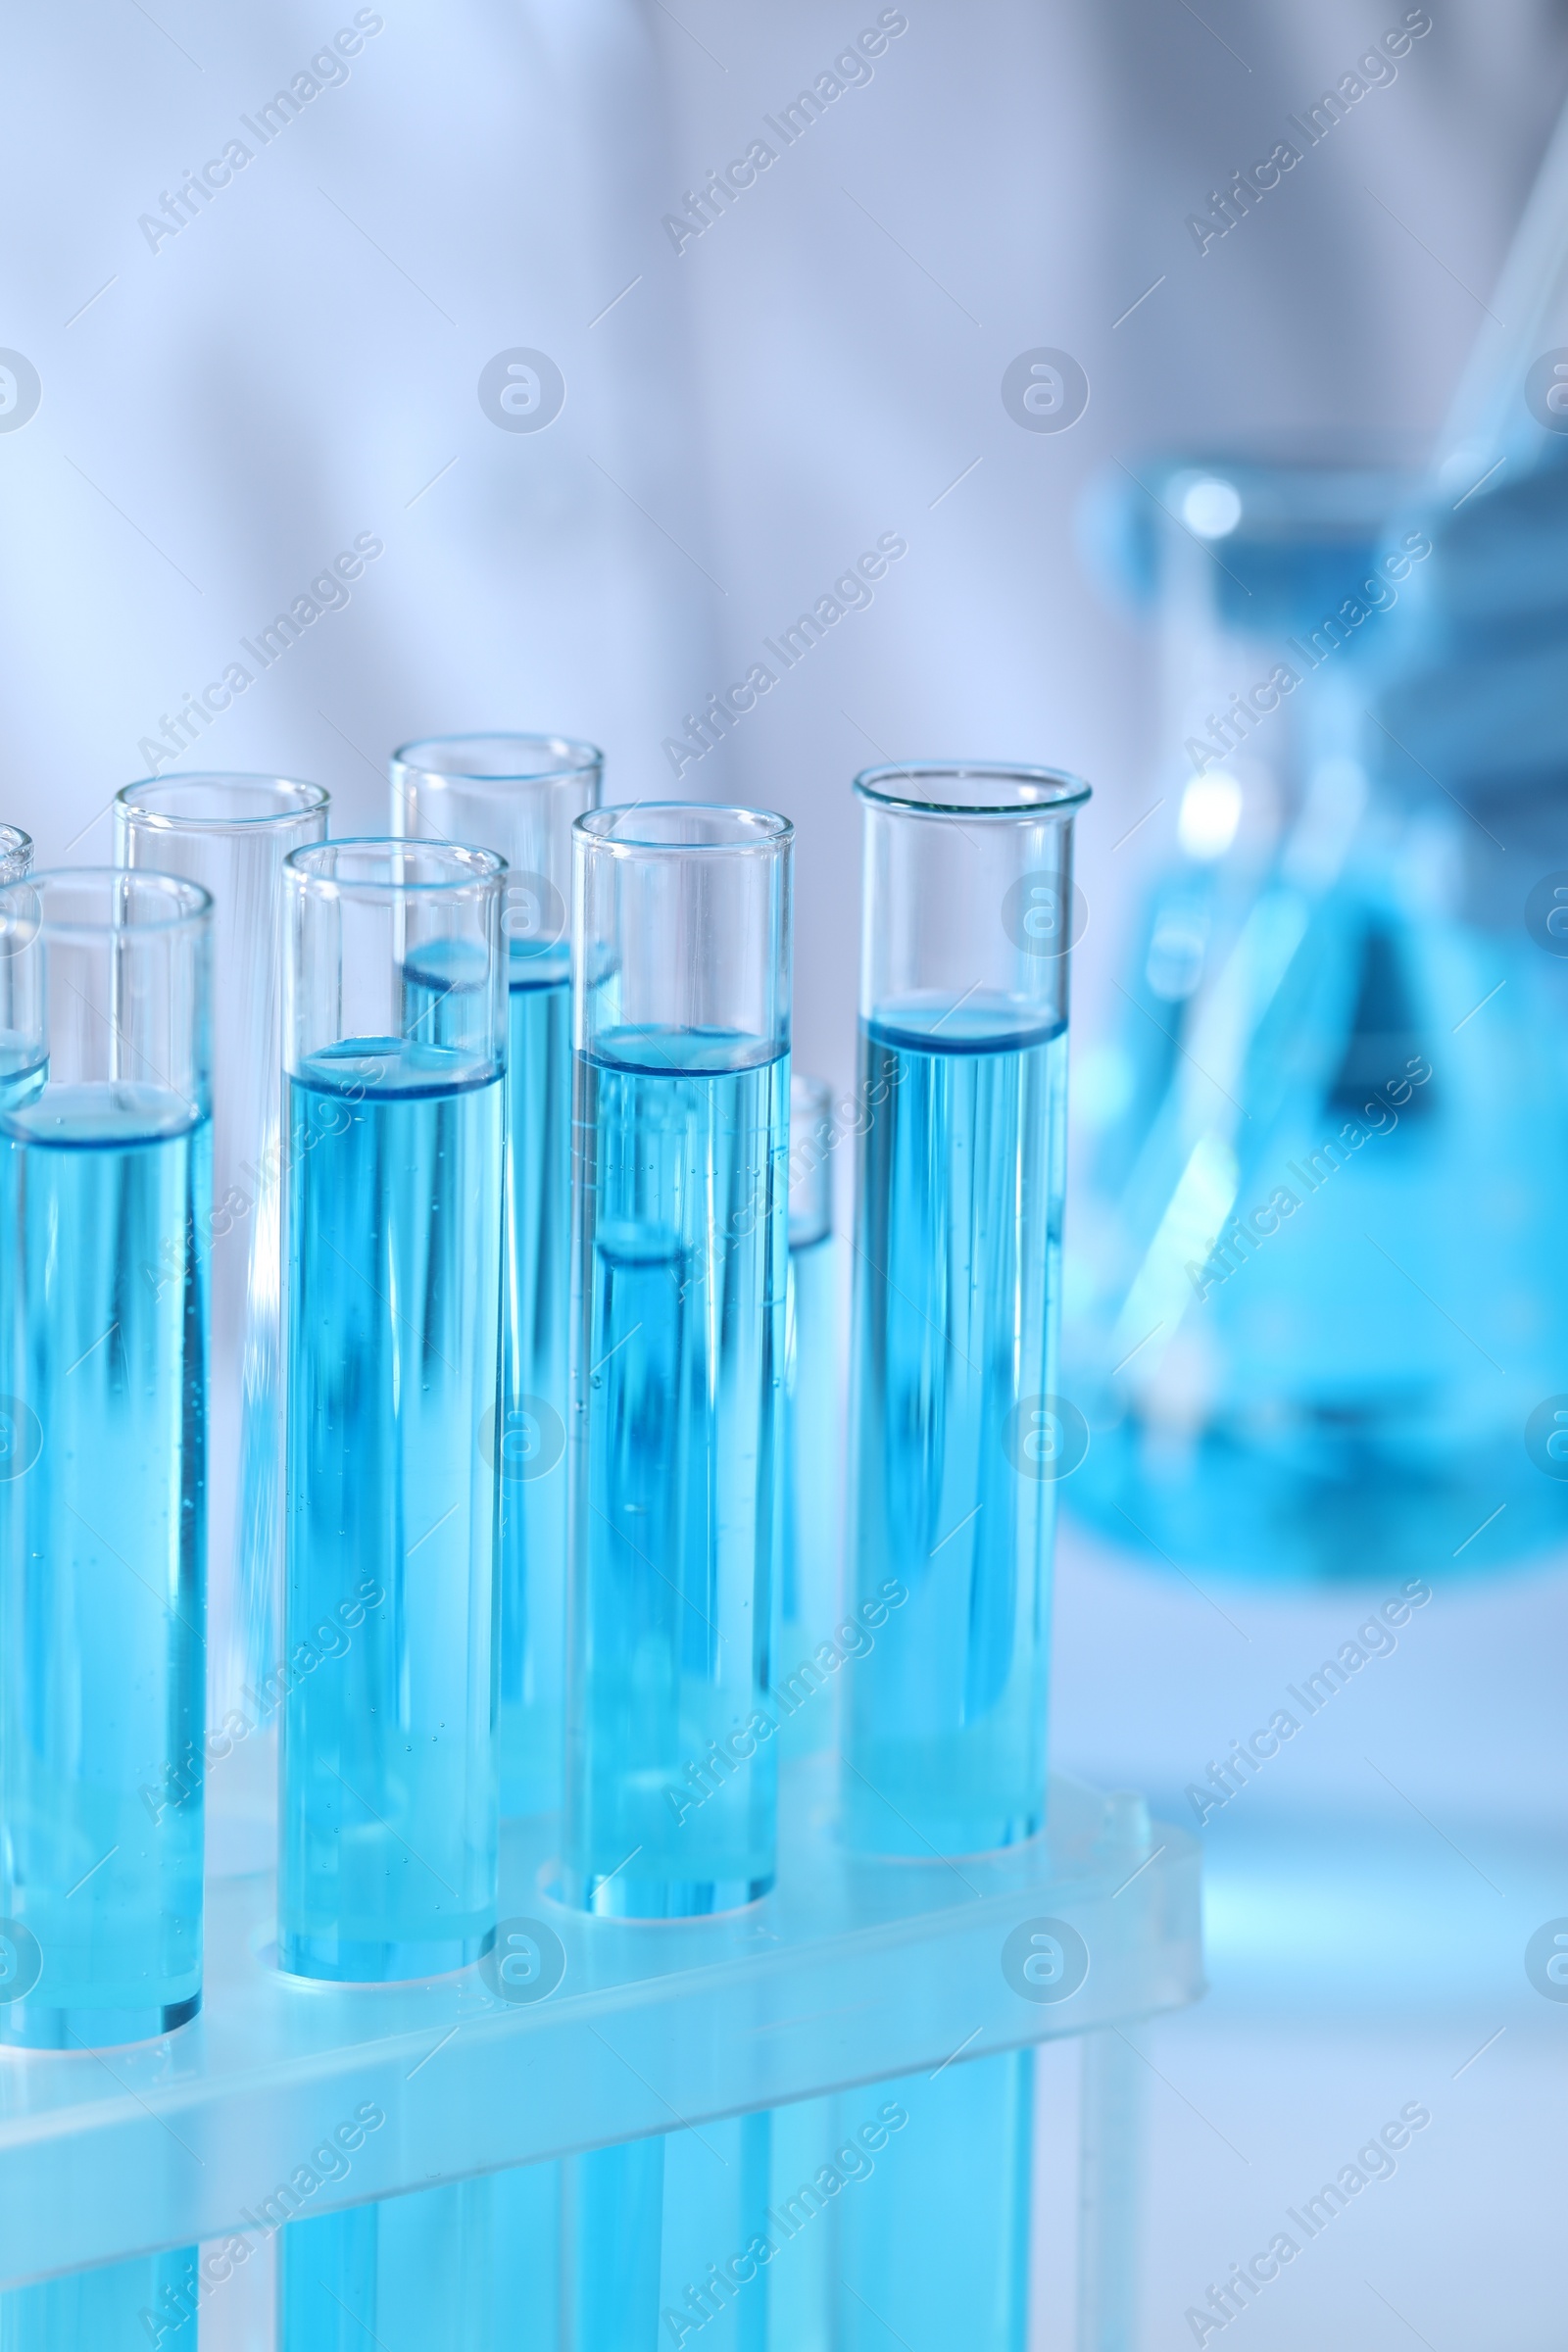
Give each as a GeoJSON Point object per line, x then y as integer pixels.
{"type": "Point", "coordinates": [1318, 1276]}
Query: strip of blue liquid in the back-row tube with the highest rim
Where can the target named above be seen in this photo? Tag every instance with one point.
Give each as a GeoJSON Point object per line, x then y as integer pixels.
{"type": "Point", "coordinates": [532, 1436]}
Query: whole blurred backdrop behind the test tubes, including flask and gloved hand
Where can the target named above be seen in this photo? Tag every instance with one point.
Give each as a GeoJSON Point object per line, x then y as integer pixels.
{"type": "Point", "coordinates": [469, 309]}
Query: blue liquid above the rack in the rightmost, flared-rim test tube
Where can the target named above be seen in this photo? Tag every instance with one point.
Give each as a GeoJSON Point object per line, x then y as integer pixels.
{"type": "Point", "coordinates": [958, 1257]}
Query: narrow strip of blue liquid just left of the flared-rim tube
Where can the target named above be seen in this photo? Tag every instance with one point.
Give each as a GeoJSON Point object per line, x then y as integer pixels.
{"type": "Point", "coordinates": [815, 1422]}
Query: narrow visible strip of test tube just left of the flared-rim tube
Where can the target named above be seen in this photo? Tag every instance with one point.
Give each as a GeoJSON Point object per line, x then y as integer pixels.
{"type": "Point", "coordinates": [810, 1582]}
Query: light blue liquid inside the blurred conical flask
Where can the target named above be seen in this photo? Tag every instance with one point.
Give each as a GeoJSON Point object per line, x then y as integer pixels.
{"type": "Point", "coordinates": [1268, 1445]}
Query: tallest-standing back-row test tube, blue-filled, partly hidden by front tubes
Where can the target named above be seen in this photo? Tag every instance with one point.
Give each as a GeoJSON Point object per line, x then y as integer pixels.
{"type": "Point", "coordinates": [521, 796]}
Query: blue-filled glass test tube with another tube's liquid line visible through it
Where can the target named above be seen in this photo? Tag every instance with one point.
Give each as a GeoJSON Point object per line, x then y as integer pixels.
{"type": "Point", "coordinates": [681, 944]}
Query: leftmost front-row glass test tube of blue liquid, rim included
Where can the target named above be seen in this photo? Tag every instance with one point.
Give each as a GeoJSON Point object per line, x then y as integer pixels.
{"type": "Point", "coordinates": [105, 1194]}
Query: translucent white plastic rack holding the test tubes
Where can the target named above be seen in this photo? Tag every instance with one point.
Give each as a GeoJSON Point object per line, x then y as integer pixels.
{"type": "Point", "coordinates": [852, 1972]}
